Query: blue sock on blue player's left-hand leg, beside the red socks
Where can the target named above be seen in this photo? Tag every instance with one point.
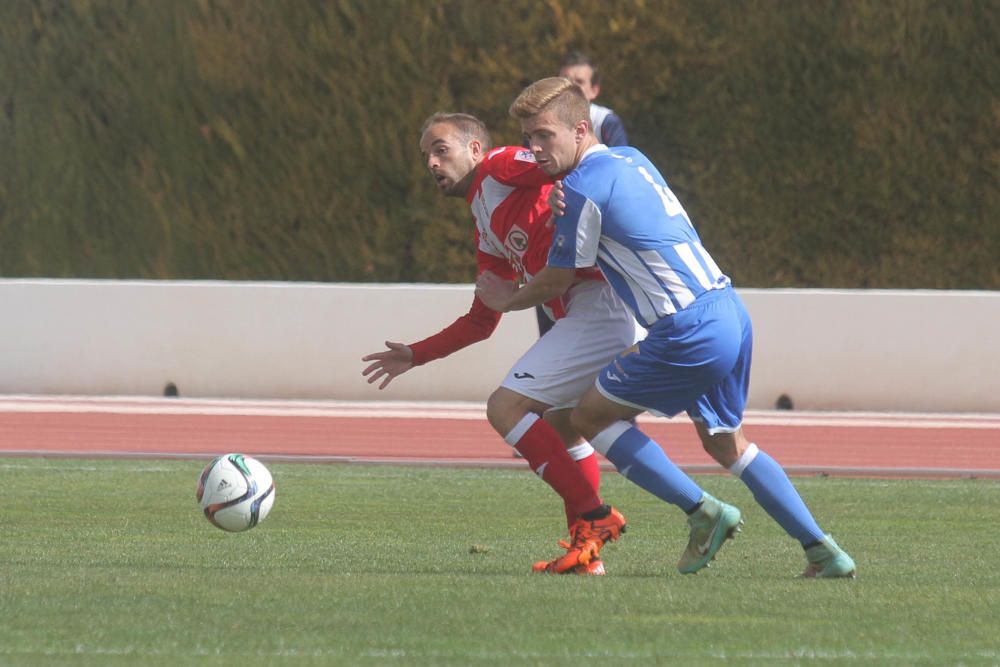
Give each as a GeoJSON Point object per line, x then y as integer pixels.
{"type": "Point", "coordinates": [642, 462]}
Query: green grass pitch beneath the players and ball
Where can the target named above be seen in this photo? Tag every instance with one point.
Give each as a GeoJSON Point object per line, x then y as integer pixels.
{"type": "Point", "coordinates": [110, 562]}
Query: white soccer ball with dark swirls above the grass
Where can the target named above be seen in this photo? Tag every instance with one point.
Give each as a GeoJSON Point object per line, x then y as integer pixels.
{"type": "Point", "coordinates": [236, 492]}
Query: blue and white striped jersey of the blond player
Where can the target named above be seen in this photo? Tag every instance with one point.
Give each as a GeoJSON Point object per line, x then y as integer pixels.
{"type": "Point", "coordinates": [621, 215]}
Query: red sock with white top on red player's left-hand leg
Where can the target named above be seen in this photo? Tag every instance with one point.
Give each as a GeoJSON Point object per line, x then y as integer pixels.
{"type": "Point", "coordinates": [543, 449]}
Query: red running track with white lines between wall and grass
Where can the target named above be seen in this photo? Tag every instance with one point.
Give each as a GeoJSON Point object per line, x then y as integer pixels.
{"type": "Point", "coordinates": [857, 444]}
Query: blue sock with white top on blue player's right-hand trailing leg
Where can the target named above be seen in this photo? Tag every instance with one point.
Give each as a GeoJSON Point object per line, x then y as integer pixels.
{"type": "Point", "coordinates": [777, 495]}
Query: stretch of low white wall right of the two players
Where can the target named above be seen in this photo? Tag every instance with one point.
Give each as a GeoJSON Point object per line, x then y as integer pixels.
{"type": "Point", "coordinates": [925, 351]}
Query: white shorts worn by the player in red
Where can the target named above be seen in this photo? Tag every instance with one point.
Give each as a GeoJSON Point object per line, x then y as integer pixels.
{"type": "Point", "coordinates": [561, 366]}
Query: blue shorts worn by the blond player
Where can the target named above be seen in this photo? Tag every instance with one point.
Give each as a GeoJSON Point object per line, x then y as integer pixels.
{"type": "Point", "coordinates": [696, 360]}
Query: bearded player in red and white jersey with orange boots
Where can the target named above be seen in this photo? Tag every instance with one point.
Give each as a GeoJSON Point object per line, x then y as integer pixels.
{"type": "Point", "coordinates": [507, 194]}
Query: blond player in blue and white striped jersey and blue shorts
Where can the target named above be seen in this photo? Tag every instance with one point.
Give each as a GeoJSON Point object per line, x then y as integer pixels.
{"type": "Point", "coordinates": [620, 214]}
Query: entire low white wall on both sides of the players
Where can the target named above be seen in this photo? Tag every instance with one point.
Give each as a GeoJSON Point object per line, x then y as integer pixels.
{"type": "Point", "coordinates": [827, 349]}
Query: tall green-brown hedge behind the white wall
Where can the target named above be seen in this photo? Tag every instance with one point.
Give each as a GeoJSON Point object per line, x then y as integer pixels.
{"type": "Point", "coordinates": [838, 143]}
